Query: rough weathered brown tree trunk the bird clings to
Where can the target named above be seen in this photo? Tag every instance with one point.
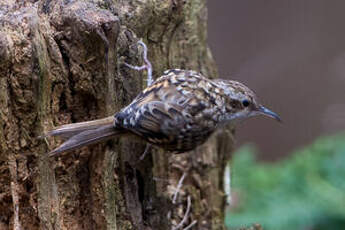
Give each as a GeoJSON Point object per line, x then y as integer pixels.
{"type": "Point", "coordinates": [61, 62]}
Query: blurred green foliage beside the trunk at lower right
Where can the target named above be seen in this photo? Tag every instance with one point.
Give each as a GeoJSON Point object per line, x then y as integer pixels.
{"type": "Point", "coordinates": [306, 191]}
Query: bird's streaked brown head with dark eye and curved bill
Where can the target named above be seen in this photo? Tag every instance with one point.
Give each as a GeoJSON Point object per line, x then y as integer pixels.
{"type": "Point", "coordinates": [242, 102]}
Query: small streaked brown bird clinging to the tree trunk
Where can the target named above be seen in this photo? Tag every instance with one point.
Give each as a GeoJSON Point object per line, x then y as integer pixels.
{"type": "Point", "coordinates": [178, 112]}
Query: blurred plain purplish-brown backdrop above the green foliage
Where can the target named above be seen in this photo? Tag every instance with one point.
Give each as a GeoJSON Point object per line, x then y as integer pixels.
{"type": "Point", "coordinates": [292, 54]}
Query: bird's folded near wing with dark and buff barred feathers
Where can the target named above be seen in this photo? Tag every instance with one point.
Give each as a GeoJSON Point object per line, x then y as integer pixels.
{"type": "Point", "coordinates": [168, 125]}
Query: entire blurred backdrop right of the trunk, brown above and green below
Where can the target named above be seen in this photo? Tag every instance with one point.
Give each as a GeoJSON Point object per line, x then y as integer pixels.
{"type": "Point", "coordinates": [292, 54]}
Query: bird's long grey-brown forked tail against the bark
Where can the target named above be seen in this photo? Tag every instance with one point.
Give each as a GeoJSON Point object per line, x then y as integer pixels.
{"type": "Point", "coordinates": [83, 133]}
